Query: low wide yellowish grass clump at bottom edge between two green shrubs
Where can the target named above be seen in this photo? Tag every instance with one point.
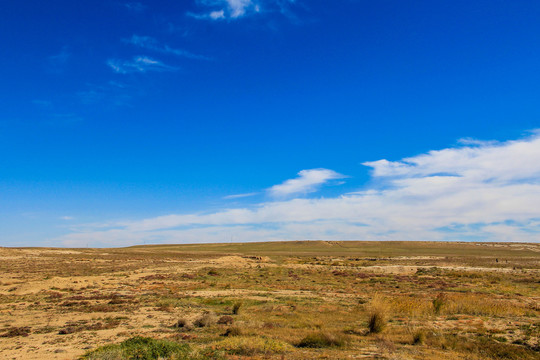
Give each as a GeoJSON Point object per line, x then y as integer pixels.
{"type": "Point", "coordinates": [250, 346]}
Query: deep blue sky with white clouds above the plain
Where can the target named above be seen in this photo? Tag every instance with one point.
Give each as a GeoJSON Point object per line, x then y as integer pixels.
{"type": "Point", "coordinates": [215, 120]}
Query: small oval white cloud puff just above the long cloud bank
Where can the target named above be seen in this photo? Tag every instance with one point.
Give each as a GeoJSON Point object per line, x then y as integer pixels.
{"type": "Point", "coordinates": [306, 182]}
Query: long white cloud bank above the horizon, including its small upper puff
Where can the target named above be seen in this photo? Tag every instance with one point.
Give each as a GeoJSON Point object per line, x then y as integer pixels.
{"type": "Point", "coordinates": [488, 191]}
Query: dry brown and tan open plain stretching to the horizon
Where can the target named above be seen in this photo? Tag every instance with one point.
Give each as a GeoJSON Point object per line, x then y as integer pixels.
{"type": "Point", "coordinates": [281, 300]}
